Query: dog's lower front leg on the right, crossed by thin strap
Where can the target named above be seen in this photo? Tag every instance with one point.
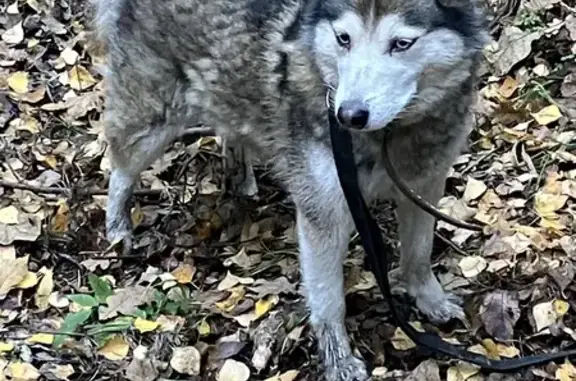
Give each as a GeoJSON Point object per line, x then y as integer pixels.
{"type": "Point", "coordinates": [416, 228]}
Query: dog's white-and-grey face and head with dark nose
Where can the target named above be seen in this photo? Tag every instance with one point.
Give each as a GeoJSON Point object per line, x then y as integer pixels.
{"type": "Point", "coordinates": [392, 59]}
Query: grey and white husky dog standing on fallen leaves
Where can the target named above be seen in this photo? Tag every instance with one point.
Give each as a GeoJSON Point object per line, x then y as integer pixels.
{"type": "Point", "coordinates": [257, 71]}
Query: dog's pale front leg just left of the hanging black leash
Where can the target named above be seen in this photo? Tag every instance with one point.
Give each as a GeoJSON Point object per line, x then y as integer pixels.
{"type": "Point", "coordinates": [324, 225]}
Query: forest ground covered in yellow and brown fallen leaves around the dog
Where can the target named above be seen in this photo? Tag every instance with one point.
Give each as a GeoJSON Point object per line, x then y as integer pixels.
{"type": "Point", "coordinates": [212, 288]}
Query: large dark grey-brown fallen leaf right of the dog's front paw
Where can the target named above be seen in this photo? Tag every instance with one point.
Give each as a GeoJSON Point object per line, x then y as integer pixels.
{"type": "Point", "coordinates": [499, 313]}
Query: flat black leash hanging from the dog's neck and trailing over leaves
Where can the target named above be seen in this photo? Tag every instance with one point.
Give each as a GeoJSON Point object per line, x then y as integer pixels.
{"type": "Point", "coordinates": [377, 252]}
